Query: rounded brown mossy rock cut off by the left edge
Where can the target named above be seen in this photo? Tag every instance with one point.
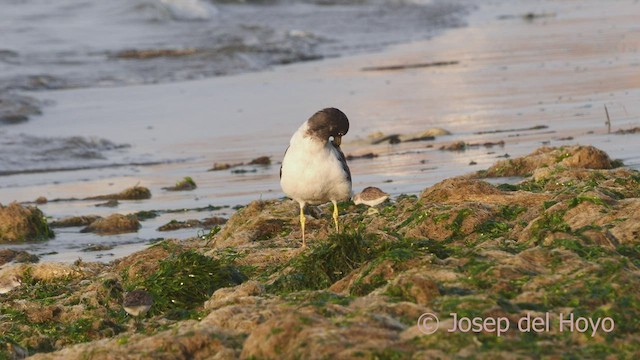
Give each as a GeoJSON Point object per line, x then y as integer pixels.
{"type": "Point", "coordinates": [19, 223]}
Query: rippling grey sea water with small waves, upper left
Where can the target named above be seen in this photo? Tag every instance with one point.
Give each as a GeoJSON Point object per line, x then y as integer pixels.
{"type": "Point", "coordinates": [47, 45]}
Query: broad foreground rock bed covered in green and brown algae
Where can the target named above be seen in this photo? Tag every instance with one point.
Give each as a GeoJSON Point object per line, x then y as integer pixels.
{"type": "Point", "coordinates": [558, 242]}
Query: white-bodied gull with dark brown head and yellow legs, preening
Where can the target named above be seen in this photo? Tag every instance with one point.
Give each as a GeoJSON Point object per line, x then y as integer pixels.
{"type": "Point", "coordinates": [314, 170]}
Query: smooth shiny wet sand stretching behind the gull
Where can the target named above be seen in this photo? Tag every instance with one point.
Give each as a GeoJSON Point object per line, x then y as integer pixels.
{"type": "Point", "coordinates": [558, 69]}
